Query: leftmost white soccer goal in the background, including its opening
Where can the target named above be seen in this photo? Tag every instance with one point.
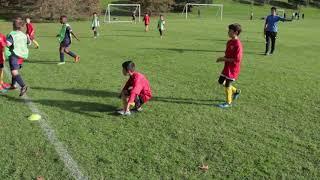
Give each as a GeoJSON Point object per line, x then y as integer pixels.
{"type": "Point", "coordinates": [122, 13]}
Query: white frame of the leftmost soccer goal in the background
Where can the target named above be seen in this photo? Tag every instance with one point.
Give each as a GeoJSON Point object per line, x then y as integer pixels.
{"type": "Point", "coordinates": [108, 13]}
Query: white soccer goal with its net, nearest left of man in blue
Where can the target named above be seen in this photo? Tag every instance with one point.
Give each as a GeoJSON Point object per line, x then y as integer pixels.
{"type": "Point", "coordinates": [192, 10]}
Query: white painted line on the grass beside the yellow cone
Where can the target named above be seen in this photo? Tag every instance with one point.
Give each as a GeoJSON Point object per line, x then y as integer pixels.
{"type": "Point", "coordinates": [51, 136]}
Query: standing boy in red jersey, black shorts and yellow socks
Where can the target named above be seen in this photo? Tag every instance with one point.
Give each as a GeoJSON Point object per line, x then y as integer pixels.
{"type": "Point", "coordinates": [232, 61]}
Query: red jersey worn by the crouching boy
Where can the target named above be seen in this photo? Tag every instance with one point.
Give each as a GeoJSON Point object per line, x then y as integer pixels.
{"type": "Point", "coordinates": [140, 87]}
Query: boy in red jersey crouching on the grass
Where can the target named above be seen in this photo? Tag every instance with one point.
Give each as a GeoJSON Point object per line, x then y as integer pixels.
{"type": "Point", "coordinates": [137, 90]}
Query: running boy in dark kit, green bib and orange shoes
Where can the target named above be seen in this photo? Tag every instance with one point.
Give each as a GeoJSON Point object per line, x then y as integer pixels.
{"type": "Point", "coordinates": [65, 41]}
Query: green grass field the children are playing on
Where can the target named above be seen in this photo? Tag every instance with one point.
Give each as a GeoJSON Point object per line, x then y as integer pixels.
{"type": "Point", "coordinates": [272, 132]}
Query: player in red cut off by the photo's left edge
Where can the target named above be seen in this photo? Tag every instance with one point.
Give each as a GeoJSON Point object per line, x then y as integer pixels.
{"type": "Point", "coordinates": [3, 44]}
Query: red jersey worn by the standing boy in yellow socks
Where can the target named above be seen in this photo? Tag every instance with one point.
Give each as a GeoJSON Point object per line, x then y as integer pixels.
{"type": "Point", "coordinates": [231, 70]}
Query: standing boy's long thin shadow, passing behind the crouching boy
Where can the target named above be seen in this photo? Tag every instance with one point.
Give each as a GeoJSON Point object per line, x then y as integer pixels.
{"type": "Point", "coordinates": [101, 93]}
